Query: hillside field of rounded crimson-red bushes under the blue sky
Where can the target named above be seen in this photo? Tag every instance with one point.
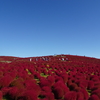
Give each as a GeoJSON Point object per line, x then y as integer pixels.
{"type": "Point", "coordinates": [58, 77]}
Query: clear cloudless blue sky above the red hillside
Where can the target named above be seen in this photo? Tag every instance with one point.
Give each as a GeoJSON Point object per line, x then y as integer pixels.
{"type": "Point", "coordinates": [46, 27]}
